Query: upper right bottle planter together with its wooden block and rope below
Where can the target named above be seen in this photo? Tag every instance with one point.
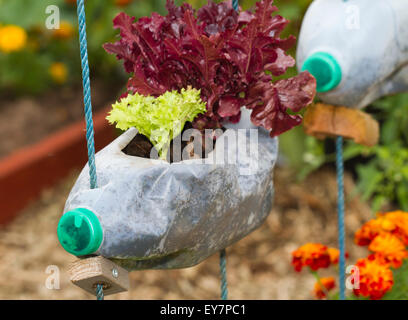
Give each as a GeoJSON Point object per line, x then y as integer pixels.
{"type": "Point", "coordinates": [351, 72]}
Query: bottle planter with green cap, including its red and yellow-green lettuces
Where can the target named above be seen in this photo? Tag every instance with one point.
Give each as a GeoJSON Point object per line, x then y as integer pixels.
{"type": "Point", "coordinates": [167, 201]}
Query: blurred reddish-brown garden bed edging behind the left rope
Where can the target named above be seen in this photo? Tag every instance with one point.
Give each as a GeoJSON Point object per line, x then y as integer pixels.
{"type": "Point", "coordinates": [28, 171]}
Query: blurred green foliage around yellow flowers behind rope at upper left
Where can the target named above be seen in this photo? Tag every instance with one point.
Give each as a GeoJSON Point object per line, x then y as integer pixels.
{"type": "Point", "coordinates": [28, 71]}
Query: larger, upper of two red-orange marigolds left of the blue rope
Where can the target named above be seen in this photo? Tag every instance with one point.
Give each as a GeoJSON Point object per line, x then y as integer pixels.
{"type": "Point", "coordinates": [313, 255]}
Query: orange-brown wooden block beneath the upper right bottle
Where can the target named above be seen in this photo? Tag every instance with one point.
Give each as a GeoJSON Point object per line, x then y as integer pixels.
{"type": "Point", "coordinates": [322, 120]}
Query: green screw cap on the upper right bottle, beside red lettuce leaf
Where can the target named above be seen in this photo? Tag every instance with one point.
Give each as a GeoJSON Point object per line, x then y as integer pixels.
{"type": "Point", "coordinates": [325, 68]}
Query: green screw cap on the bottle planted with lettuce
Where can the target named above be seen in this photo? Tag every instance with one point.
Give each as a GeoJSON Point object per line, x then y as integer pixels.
{"type": "Point", "coordinates": [80, 232]}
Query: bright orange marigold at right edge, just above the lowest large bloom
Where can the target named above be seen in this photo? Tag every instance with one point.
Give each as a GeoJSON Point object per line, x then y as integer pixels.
{"type": "Point", "coordinates": [390, 247]}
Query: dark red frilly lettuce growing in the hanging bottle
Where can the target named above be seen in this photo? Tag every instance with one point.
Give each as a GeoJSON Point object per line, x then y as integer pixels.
{"type": "Point", "coordinates": [224, 53]}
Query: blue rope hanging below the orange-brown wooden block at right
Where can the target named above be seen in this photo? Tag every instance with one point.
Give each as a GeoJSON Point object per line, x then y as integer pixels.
{"type": "Point", "coordinates": [340, 215]}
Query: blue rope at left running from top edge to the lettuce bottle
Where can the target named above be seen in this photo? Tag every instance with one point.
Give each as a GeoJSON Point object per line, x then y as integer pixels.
{"type": "Point", "coordinates": [87, 92]}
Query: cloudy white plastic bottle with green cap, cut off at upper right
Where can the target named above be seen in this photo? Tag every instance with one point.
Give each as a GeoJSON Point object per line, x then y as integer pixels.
{"type": "Point", "coordinates": [357, 50]}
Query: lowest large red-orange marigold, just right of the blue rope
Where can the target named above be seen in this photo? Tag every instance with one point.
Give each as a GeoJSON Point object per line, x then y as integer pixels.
{"type": "Point", "coordinates": [375, 278]}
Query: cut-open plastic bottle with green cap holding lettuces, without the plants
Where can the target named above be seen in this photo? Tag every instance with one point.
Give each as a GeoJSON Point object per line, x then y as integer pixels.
{"type": "Point", "coordinates": [150, 214]}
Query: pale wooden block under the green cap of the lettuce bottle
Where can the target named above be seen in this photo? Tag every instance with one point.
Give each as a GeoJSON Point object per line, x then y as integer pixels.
{"type": "Point", "coordinates": [88, 273]}
